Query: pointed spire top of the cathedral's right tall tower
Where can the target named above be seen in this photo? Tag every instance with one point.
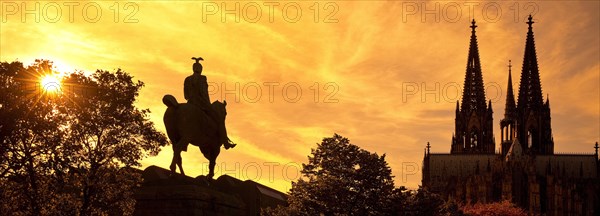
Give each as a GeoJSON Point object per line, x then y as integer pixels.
{"type": "Point", "coordinates": [530, 89]}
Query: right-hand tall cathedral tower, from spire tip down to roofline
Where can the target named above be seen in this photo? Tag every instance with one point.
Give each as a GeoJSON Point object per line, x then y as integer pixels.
{"type": "Point", "coordinates": [534, 131]}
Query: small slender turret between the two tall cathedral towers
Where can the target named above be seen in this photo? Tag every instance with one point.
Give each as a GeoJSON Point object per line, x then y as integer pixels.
{"type": "Point", "coordinates": [508, 123]}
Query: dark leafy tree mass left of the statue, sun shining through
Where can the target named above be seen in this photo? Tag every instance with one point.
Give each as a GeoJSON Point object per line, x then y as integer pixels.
{"type": "Point", "coordinates": [65, 153]}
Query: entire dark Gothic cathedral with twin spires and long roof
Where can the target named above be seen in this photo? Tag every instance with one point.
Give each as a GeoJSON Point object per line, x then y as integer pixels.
{"type": "Point", "coordinates": [525, 170]}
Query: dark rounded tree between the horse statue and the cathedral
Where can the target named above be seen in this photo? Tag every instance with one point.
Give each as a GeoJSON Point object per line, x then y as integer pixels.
{"type": "Point", "coordinates": [340, 178]}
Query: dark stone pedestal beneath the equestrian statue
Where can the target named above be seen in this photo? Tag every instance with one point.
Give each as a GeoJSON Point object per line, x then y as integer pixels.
{"type": "Point", "coordinates": [162, 194]}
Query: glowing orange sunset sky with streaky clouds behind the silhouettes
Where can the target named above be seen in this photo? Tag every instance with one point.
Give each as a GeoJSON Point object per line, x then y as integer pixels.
{"type": "Point", "coordinates": [370, 60]}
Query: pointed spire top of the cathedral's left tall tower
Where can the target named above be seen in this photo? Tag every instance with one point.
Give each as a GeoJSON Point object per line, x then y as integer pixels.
{"type": "Point", "coordinates": [473, 98]}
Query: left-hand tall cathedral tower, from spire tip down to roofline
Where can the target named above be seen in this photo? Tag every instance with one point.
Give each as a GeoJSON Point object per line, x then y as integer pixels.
{"type": "Point", "coordinates": [473, 122]}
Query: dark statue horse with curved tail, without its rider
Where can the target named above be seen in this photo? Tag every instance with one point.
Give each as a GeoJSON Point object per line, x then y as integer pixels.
{"type": "Point", "coordinates": [187, 123]}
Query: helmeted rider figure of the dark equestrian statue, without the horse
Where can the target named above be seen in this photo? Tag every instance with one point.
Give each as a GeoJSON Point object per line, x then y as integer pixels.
{"type": "Point", "coordinates": [196, 93]}
